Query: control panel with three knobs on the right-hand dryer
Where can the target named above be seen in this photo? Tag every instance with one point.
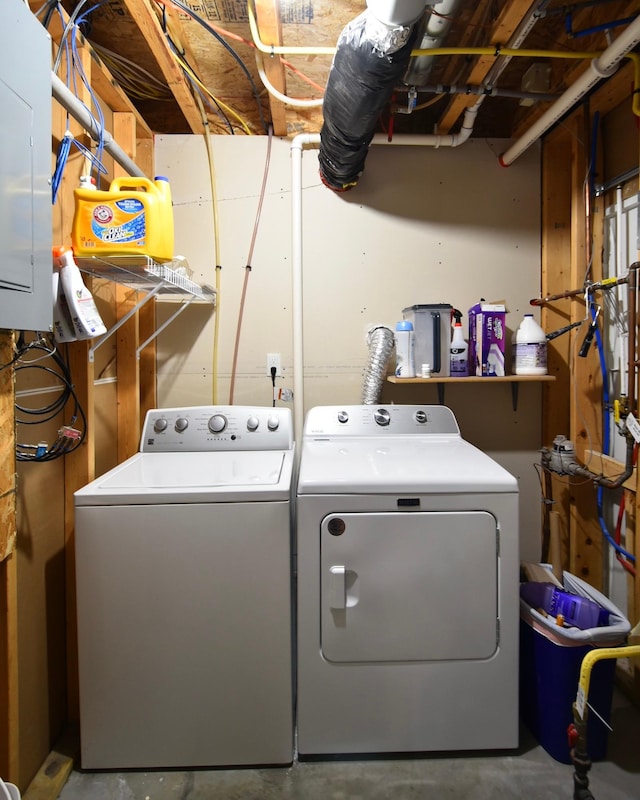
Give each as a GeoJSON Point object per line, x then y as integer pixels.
{"type": "Point", "coordinates": [378, 420]}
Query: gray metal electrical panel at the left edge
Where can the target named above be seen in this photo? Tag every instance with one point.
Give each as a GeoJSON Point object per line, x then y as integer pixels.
{"type": "Point", "coordinates": [25, 171]}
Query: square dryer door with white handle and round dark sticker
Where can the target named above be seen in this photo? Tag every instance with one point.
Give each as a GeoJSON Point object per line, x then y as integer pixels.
{"type": "Point", "coordinates": [409, 586]}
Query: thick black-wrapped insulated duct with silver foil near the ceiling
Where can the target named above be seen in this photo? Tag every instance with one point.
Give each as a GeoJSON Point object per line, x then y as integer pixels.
{"type": "Point", "coordinates": [370, 59]}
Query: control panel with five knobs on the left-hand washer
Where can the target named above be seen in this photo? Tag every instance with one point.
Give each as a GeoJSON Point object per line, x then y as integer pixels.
{"type": "Point", "coordinates": [210, 428]}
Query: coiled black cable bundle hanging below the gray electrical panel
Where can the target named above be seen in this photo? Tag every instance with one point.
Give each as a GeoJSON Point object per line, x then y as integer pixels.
{"type": "Point", "coordinates": [30, 356]}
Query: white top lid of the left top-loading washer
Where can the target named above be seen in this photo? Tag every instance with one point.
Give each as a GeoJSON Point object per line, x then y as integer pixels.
{"type": "Point", "coordinates": [193, 477]}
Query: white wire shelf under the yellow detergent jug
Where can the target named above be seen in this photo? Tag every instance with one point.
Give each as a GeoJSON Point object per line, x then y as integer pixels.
{"type": "Point", "coordinates": [143, 274]}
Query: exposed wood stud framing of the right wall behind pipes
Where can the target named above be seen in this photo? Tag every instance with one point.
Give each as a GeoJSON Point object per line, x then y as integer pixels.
{"type": "Point", "coordinates": [572, 254]}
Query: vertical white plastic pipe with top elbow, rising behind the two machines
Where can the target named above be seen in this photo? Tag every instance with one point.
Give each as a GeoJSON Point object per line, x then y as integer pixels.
{"type": "Point", "coordinates": [297, 145]}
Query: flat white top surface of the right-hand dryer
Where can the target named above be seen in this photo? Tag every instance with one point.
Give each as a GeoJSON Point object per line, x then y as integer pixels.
{"type": "Point", "coordinates": [399, 465]}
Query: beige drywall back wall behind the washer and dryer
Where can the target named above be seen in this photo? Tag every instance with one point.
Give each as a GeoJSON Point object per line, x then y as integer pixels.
{"type": "Point", "coordinates": [422, 226]}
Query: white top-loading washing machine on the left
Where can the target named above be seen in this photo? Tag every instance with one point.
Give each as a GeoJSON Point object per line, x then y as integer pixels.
{"type": "Point", "coordinates": [184, 595]}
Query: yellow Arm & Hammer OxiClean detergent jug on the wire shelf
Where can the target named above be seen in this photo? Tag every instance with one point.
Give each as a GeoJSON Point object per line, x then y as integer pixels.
{"type": "Point", "coordinates": [134, 217]}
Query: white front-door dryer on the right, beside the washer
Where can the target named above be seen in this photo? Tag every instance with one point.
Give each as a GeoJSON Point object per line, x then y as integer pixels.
{"type": "Point", "coordinates": [408, 579]}
